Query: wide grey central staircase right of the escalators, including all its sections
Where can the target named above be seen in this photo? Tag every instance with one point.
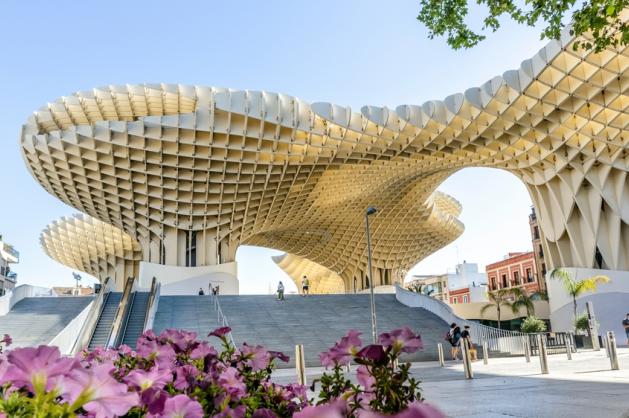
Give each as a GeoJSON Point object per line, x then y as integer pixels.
{"type": "Point", "coordinates": [317, 322]}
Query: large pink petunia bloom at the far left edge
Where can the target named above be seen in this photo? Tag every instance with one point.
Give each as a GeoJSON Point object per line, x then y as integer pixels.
{"type": "Point", "coordinates": [37, 368]}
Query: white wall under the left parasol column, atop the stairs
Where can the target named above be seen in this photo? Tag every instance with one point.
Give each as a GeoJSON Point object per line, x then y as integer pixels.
{"type": "Point", "coordinates": [187, 280]}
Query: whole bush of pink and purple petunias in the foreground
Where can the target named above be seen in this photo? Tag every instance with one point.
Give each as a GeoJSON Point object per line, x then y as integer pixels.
{"type": "Point", "coordinates": [176, 375]}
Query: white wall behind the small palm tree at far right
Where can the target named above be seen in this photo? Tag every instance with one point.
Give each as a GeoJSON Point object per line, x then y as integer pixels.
{"type": "Point", "coordinates": [611, 302]}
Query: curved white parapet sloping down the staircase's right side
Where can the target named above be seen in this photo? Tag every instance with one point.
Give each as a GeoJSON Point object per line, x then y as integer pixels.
{"type": "Point", "coordinates": [512, 342]}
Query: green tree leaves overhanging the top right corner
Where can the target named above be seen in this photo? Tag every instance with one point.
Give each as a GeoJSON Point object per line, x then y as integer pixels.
{"type": "Point", "coordinates": [600, 18]}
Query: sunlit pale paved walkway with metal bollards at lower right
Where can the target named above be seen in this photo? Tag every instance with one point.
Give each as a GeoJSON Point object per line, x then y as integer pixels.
{"type": "Point", "coordinates": [509, 387]}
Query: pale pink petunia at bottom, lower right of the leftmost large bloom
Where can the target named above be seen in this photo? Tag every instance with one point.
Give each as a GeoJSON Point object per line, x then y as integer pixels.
{"type": "Point", "coordinates": [98, 392]}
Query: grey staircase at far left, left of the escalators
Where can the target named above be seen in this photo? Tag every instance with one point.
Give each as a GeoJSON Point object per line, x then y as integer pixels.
{"type": "Point", "coordinates": [37, 320]}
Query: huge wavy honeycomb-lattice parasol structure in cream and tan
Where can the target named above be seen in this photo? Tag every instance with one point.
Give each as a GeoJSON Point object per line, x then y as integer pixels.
{"type": "Point", "coordinates": [171, 179]}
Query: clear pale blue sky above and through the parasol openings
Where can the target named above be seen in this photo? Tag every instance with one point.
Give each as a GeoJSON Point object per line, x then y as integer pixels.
{"type": "Point", "coordinates": [347, 52]}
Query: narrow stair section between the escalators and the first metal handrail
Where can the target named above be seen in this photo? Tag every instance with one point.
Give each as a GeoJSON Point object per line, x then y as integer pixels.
{"type": "Point", "coordinates": [192, 313]}
